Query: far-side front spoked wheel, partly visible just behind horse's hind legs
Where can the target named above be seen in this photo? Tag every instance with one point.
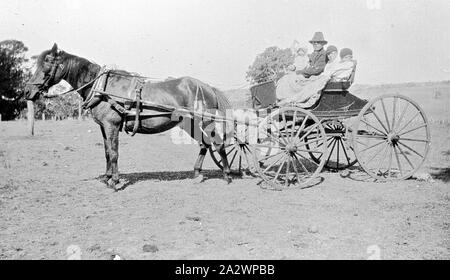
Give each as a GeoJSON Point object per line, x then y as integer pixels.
{"type": "Point", "coordinates": [238, 155]}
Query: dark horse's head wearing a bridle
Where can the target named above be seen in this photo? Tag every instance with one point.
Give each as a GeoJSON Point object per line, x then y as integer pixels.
{"type": "Point", "coordinates": [49, 71]}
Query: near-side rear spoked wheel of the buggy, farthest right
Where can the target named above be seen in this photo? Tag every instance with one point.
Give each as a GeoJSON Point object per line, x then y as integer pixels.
{"type": "Point", "coordinates": [391, 137]}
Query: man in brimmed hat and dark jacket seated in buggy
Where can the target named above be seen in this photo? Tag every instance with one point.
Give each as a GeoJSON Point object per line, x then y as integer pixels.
{"type": "Point", "coordinates": [317, 60]}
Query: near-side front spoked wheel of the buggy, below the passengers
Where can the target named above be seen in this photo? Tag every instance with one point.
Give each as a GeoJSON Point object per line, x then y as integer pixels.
{"type": "Point", "coordinates": [281, 155]}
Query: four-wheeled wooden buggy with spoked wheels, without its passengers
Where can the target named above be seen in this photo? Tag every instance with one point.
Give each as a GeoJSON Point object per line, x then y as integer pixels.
{"type": "Point", "coordinates": [388, 136]}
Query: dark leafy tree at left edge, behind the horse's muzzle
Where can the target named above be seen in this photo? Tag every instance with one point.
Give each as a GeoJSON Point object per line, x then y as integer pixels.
{"type": "Point", "coordinates": [12, 77]}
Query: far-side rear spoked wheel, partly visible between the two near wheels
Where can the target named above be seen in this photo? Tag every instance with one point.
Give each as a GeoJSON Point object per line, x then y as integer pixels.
{"type": "Point", "coordinates": [340, 155]}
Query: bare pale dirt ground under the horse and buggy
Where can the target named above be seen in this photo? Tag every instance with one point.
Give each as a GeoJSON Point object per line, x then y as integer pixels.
{"type": "Point", "coordinates": [51, 200]}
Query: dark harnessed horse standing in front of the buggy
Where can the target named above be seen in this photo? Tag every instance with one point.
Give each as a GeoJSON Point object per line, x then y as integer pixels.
{"type": "Point", "coordinates": [55, 65]}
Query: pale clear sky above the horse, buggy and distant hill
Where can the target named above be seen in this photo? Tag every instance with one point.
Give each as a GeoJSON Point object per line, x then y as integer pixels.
{"type": "Point", "coordinates": [216, 41]}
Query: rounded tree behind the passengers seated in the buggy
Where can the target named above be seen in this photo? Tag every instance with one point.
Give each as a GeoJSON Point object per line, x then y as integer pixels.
{"type": "Point", "coordinates": [269, 64]}
